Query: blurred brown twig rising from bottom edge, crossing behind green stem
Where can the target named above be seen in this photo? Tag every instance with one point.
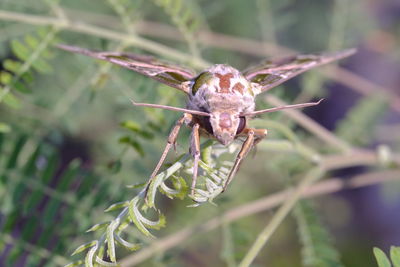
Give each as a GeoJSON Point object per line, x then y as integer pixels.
{"type": "Point", "coordinates": [266, 203]}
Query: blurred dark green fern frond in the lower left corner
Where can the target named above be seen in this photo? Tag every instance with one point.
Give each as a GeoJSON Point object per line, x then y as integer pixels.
{"type": "Point", "coordinates": [37, 193]}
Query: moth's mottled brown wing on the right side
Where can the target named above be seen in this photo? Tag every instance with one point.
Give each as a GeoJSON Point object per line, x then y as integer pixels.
{"type": "Point", "coordinates": [273, 73]}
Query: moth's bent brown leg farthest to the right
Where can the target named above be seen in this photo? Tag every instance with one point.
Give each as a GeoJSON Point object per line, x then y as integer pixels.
{"type": "Point", "coordinates": [254, 136]}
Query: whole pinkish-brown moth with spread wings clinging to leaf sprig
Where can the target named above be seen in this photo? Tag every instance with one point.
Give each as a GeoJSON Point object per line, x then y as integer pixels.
{"type": "Point", "coordinates": [220, 99]}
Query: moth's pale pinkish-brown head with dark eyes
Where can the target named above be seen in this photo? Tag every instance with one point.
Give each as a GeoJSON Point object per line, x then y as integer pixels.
{"type": "Point", "coordinates": [224, 126]}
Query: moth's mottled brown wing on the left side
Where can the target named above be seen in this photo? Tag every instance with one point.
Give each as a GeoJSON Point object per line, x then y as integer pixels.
{"type": "Point", "coordinates": [167, 74]}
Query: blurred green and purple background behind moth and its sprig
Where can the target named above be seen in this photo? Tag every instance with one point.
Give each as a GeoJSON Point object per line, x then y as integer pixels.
{"type": "Point", "coordinates": [70, 140]}
